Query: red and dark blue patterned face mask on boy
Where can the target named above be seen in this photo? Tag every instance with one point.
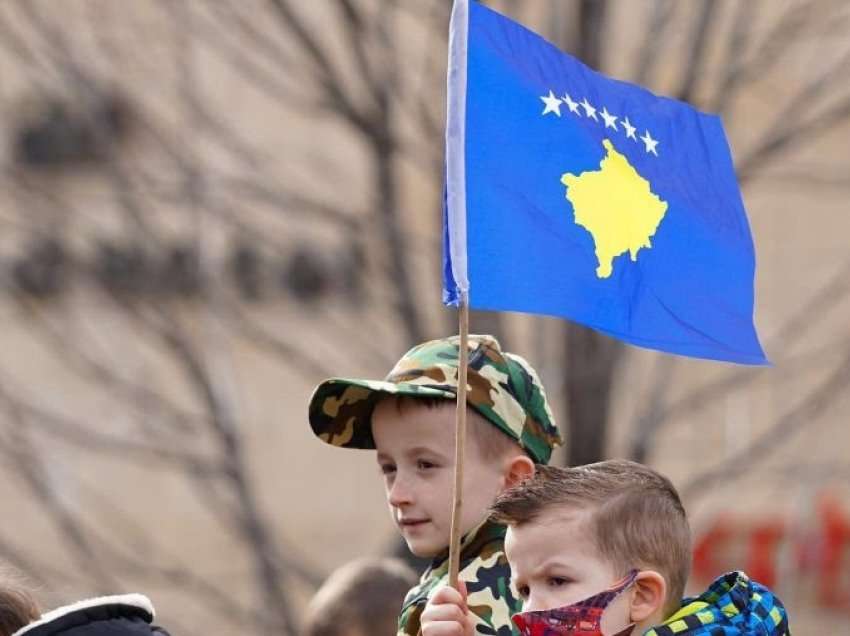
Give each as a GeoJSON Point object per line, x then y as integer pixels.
{"type": "Point", "coordinates": [580, 619]}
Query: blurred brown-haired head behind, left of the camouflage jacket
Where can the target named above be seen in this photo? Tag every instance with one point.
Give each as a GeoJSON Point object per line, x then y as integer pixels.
{"type": "Point", "coordinates": [364, 596]}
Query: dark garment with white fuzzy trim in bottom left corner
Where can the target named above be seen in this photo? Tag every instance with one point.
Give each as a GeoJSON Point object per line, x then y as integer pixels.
{"type": "Point", "coordinates": [125, 615]}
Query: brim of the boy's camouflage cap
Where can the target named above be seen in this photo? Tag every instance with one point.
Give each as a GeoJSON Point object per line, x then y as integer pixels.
{"type": "Point", "coordinates": [341, 408]}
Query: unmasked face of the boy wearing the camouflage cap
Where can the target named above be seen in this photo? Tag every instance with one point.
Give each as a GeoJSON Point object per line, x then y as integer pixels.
{"type": "Point", "coordinates": [416, 454]}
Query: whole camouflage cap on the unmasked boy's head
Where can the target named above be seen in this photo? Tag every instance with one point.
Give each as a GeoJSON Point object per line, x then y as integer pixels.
{"type": "Point", "coordinates": [501, 386]}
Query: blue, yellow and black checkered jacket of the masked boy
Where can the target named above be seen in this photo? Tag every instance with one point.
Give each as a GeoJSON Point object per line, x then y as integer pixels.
{"type": "Point", "coordinates": [732, 606]}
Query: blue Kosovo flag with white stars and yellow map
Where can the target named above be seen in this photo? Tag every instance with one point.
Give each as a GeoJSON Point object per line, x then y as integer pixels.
{"type": "Point", "coordinates": [575, 195]}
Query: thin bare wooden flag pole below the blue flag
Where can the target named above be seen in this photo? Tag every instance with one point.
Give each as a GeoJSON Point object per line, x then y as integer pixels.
{"type": "Point", "coordinates": [460, 442]}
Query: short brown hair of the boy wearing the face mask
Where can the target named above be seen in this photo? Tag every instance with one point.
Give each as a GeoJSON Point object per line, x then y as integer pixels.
{"type": "Point", "coordinates": [637, 518]}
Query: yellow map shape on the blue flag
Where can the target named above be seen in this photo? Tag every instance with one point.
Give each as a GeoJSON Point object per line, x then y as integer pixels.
{"type": "Point", "coordinates": [616, 205]}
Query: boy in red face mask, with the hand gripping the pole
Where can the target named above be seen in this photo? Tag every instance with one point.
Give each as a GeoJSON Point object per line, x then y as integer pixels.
{"type": "Point", "coordinates": [605, 549]}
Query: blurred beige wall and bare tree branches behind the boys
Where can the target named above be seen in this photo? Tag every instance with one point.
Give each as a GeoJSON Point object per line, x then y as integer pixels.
{"type": "Point", "coordinates": [208, 206]}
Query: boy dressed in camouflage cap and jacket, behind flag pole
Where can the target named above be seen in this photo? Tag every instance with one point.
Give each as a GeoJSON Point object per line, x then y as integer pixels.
{"type": "Point", "coordinates": [409, 418]}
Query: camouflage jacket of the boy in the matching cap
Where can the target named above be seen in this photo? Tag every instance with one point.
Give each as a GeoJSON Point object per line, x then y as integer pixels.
{"type": "Point", "coordinates": [485, 570]}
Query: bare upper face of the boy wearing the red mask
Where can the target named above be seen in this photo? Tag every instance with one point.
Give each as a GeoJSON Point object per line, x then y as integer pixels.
{"type": "Point", "coordinates": [554, 563]}
